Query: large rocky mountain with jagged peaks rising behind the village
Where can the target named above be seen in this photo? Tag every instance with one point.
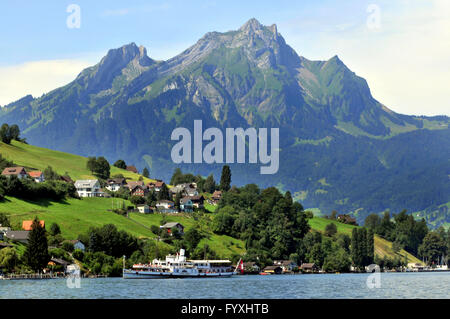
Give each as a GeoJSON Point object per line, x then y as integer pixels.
{"type": "Point", "coordinates": [340, 149]}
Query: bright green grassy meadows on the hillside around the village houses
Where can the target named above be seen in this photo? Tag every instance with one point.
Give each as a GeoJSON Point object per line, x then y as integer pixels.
{"type": "Point", "coordinates": [76, 216]}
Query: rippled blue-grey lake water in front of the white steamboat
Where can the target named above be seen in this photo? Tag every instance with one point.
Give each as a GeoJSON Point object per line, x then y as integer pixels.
{"type": "Point", "coordinates": [391, 285]}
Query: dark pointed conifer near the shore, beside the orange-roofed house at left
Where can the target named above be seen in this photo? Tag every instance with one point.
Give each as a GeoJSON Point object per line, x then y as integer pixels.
{"type": "Point", "coordinates": [36, 254]}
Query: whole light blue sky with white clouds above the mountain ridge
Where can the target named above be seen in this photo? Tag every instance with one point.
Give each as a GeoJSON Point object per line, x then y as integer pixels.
{"type": "Point", "coordinates": [38, 52]}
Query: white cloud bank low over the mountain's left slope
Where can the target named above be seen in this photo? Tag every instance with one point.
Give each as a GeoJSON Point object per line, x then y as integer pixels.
{"type": "Point", "coordinates": [37, 77]}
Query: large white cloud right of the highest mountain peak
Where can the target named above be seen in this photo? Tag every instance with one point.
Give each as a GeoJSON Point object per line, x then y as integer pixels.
{"type": "Point", "coordinates": [406, 62]}
